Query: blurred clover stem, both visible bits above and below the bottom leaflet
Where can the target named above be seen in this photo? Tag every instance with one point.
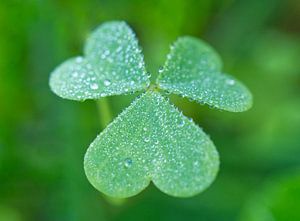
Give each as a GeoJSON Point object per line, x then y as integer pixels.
{"type": "Point", "coordinates": [105, 116]}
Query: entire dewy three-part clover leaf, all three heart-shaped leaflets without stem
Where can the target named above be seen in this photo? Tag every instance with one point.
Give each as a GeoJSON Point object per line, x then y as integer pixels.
{"type": "Point", "coordinates": [151, 140]}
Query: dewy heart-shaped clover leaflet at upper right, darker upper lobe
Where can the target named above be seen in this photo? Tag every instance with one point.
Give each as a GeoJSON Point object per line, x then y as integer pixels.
{"type": "Point", "coordinates": [192, 69]}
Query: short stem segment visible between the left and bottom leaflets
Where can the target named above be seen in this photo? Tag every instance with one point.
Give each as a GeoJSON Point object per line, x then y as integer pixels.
{"type": "Point", "coordinates": [104, 112]}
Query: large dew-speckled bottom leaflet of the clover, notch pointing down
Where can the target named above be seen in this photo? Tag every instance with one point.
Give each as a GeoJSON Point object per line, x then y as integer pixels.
{"type": "Point", "coordinates": [151, 140]}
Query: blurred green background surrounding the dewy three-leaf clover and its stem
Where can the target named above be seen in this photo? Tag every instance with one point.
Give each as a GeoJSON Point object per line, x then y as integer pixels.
{"type": "Point", "coordinates": [43, 138]}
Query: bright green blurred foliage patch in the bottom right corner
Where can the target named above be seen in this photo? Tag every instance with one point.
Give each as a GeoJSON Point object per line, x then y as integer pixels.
{"type": "Point", "coordinates": [278, 200]}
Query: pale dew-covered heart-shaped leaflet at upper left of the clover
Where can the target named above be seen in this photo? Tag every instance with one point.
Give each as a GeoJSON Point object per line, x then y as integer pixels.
{"type": "Point", "coordinates": [113, 64]}
